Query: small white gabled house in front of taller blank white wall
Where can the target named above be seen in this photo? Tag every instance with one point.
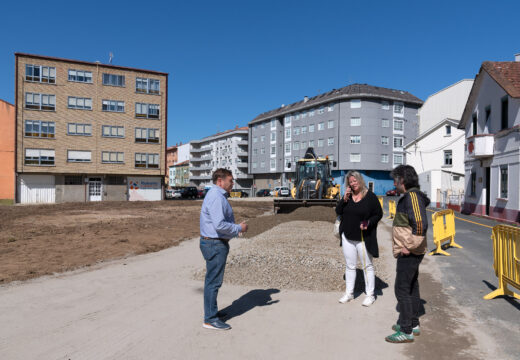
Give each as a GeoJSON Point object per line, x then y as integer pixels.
{"type": "Point", "coordinates": [438, 157]}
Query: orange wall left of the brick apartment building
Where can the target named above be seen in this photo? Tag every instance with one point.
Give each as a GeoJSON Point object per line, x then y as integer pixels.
{"type": "Point", "coordinates": [7, 174]}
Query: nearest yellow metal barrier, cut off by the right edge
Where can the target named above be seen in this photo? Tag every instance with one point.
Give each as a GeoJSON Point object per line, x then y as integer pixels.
{"type": "Point", "coordinates": [506, 255]}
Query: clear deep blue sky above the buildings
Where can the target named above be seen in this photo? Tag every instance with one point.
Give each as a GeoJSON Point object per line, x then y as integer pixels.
{"type": "Point", "coordinates": [232, 60]}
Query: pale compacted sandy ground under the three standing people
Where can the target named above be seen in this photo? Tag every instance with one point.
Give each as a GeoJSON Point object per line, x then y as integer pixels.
{"type": "Point", "coordinates": [149, 307]}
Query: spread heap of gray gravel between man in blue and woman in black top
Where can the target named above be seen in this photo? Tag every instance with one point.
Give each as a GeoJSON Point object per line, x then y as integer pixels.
{"type": "Point", "coordinates": [301, 255]}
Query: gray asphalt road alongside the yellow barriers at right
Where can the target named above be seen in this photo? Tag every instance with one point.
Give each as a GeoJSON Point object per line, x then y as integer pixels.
{"type": "Point", "coordinates": [468, 275]}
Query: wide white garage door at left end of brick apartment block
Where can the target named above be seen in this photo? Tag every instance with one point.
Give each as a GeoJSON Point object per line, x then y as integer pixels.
{"type": "Point", "coordinates": [36, 189]}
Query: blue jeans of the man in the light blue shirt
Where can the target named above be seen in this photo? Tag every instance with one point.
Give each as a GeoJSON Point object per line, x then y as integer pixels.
{"type": "Point", "coordinates": [215, 253]}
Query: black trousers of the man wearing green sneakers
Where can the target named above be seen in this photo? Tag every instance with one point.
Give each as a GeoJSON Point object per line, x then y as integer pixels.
{"type": "Point", "coordinates": [407, 291]}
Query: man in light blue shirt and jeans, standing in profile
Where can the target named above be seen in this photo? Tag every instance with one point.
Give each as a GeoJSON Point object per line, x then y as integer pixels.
{"type": "Point", "coordinates": [217, 227]}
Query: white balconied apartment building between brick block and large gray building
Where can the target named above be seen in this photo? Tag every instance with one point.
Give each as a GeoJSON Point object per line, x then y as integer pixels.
{"type": "Point", "coordinates": [226, 149]}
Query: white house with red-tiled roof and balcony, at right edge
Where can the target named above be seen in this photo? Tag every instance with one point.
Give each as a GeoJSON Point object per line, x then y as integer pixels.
{"type": "Point", "coordinates": [491, 121]}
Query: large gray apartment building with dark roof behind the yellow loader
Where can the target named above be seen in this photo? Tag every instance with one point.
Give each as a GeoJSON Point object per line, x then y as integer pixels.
{"type": "Point", "coordinates": [361, 127]}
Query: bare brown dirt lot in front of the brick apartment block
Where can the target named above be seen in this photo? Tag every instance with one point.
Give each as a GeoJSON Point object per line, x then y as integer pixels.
{"type": "Point", "coordinates": [45, 239]}
